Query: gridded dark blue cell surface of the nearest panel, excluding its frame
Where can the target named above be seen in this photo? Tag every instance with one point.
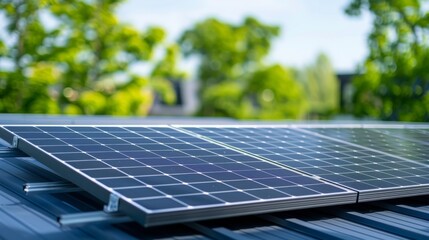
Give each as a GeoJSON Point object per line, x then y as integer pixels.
{"type": "Point", "coordinates": [171, 169]}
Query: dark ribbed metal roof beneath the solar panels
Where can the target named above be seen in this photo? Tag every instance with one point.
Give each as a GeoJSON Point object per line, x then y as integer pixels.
{"type": "Point", "coordinates": [34, 216]}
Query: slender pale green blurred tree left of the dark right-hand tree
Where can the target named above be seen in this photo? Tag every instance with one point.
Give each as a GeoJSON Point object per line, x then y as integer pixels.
{"type": "Point", "coordinates": [321, 86]}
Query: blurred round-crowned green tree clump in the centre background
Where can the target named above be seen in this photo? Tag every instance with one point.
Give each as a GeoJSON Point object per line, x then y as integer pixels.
{"type": "Point", "coordinates": [233, 79]}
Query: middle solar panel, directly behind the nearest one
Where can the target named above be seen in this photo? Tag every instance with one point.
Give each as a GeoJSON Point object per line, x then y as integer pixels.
{"type": "Point", "coordinates": [374, 174]}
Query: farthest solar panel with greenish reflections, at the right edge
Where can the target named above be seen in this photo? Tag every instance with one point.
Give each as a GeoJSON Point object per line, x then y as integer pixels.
{"type": "Point", "coordinates": [411, 144]}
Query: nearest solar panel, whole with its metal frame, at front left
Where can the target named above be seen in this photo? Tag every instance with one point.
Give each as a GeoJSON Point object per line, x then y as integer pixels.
{"type": "Point", "coordinates": [161, 175]}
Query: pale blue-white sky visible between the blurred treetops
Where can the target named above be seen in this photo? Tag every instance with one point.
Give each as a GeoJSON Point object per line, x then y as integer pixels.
{"type": "Point", "coordinates": [308, 27]}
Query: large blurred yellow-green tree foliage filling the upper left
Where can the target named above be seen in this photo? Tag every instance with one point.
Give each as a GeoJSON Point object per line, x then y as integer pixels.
{"type": "Point", "coordinates": [72, 65]}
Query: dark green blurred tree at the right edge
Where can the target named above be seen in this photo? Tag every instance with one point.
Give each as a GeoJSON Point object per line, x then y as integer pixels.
{"type": "Point", "coordinates": [395, 80]}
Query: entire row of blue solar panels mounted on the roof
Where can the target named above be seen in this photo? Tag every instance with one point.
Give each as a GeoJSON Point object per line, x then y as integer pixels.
{"type": "Point", "coordinates": [165, 174]}
